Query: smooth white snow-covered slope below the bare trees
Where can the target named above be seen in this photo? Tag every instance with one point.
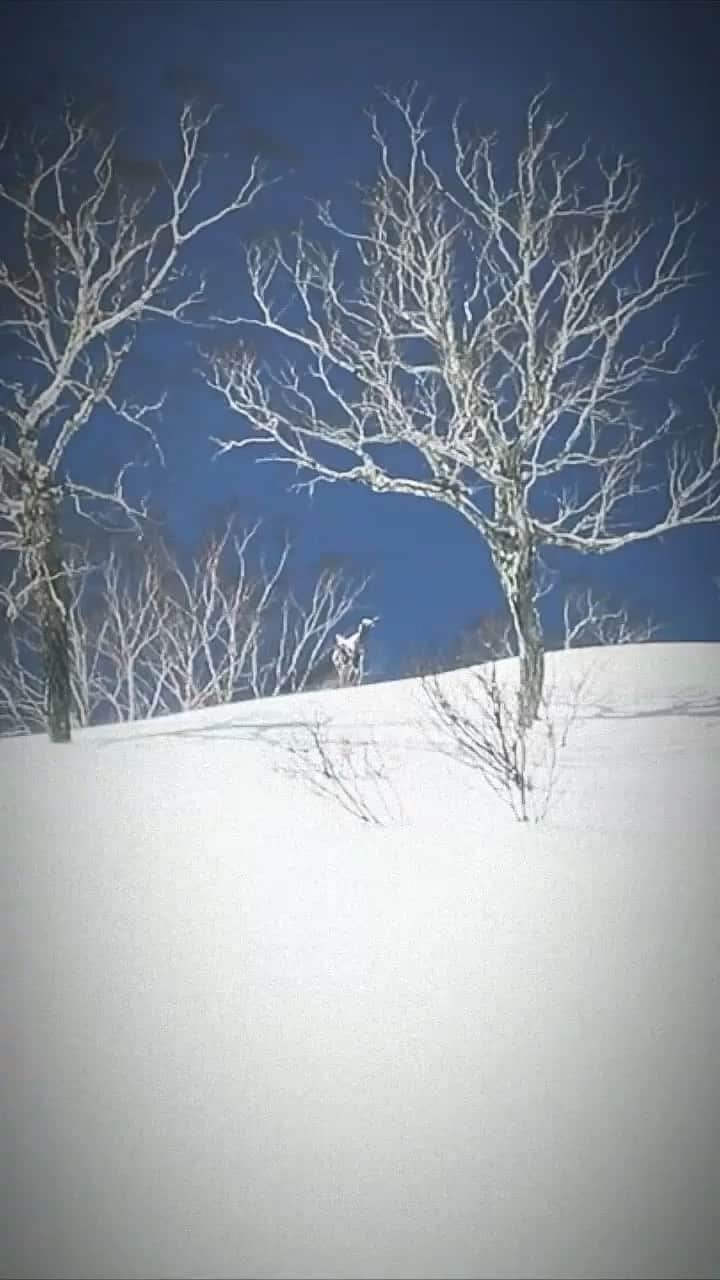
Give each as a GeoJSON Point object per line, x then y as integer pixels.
{"type": "Point", "coordinates": [247, 1035]}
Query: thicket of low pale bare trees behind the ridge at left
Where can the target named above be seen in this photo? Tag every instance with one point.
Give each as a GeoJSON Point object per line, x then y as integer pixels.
{"type": "Point", "coordinates": [151, 636]}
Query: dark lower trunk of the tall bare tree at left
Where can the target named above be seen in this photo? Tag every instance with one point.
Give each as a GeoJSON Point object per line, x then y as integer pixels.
{"type": "Point", "coordinates": [56, 648]}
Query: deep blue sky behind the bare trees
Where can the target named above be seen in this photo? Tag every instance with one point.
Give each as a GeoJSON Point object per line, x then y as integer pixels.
{"type": "Point", "coordinates": [295, 77]}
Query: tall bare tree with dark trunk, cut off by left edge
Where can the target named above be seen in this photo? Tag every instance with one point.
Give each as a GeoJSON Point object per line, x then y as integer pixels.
{"type": "Point", "coordinates": [93, 255]}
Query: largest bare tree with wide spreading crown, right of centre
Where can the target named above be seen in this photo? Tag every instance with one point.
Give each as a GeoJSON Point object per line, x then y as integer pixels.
{"type": "Point", "coordinates": [484, 342]}
